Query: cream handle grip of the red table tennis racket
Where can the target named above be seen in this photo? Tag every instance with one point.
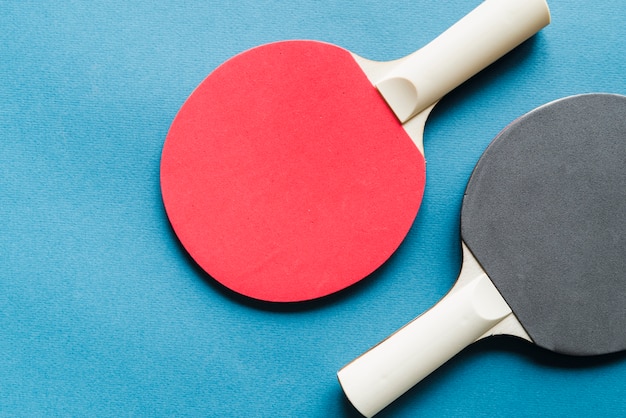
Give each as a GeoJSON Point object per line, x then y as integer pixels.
{"type": "Point", "coordinates": [481, 37]}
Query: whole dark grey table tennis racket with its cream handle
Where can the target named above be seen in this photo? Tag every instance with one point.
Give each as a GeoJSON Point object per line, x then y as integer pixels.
{"type": "Point", "coordinates": [543, 228]}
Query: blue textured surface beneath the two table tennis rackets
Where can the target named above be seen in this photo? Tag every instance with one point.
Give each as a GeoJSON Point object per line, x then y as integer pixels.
{"type": "Point", "coordinates": [102, 313]}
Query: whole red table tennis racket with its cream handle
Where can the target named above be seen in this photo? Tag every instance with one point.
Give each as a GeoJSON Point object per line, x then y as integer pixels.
{"type": "Point", "coordinates": [295, 169]}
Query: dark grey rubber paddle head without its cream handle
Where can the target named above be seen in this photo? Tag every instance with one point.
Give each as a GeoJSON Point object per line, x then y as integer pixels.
{"type": "Point", "coordinates": [545, 215]}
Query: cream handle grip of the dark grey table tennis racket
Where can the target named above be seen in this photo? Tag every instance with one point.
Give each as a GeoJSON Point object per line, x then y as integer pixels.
{"type": "Point", "coordinates": [379, 376]}
